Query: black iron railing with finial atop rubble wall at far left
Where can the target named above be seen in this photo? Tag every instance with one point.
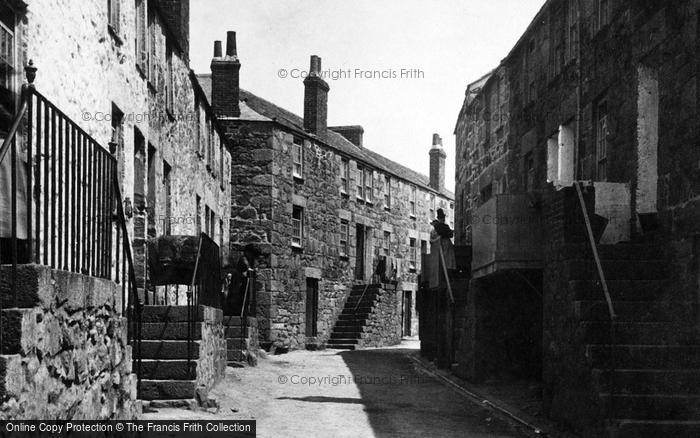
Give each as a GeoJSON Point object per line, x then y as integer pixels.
{"type": "Point", "coordinates": [66, 209]}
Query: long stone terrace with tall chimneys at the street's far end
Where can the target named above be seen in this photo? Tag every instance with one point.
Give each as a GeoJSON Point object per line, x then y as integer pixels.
{"type": "Point", "coordinates": [323, 208]}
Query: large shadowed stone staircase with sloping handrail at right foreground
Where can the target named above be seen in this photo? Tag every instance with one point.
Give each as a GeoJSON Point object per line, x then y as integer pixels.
{"type": "Point", "coordinates": [655, 388]}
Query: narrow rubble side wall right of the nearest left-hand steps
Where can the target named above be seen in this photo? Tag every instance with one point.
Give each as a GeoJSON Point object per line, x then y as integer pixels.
{"type": "Point", "coordinates": [211, 365]}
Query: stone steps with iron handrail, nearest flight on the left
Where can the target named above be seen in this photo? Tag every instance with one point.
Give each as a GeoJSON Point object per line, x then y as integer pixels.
{"type": "Point", "coordinates": [167, 377]}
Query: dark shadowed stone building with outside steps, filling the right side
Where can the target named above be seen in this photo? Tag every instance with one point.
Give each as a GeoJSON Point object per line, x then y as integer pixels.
{"type": "Point", "coordinates": [577, 194]}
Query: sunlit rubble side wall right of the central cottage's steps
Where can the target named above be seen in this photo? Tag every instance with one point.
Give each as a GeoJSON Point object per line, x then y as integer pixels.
{"type": "Point", "coordinates": [383, 326]}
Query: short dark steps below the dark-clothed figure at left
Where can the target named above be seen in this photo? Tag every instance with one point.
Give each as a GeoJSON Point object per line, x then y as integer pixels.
{"type": "Point", "coordinates": [242, 341]}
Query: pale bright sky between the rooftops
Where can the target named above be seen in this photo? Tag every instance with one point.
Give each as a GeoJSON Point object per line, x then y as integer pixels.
{"type": "Point", "coordinates": [438, 47]}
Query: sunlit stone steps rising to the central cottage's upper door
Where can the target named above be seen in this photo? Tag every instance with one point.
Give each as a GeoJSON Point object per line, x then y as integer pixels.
{"type": "Point", "coordinates": [351, 322]}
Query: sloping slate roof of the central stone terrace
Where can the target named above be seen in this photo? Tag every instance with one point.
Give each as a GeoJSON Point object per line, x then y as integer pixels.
{"type": "Point", "coordinates": [256, 108]}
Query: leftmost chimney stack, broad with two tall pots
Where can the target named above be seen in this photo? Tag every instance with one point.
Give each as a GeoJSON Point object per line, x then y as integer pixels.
{"type": "Point", "coordinates": [225, 88]}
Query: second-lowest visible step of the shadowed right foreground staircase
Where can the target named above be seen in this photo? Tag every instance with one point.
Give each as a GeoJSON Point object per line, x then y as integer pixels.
{"type": "Point", "coordinates": [678, 407]}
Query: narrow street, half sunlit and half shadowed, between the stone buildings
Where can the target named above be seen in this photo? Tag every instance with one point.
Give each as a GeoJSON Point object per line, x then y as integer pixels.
{"type": "Point", "coordinates": [363, 393]}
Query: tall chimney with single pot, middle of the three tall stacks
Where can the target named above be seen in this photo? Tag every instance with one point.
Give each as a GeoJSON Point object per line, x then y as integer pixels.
{"type": "Point", "coordinates": [315, 99]}
